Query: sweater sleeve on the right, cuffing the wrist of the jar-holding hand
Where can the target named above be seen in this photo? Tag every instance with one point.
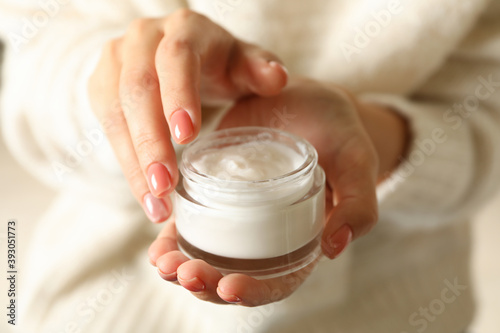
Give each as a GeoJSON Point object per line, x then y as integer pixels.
{"type": "Point", "coordinates": [452, 166]}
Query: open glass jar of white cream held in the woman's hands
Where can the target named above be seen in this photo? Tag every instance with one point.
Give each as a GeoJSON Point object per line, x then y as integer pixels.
{"type": "Point", "coordinates": [251, 200]}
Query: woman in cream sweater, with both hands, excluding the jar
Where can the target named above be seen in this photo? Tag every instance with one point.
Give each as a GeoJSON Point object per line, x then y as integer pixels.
{"type": "Point", "coordinates": [399, 98]}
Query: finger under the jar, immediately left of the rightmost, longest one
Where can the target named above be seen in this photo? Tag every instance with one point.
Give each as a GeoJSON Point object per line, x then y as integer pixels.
{"type": "Point", "coordinates": [201, 279]}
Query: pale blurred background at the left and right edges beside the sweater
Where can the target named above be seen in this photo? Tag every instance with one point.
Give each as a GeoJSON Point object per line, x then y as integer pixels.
{"type": "Point", "coordinates": [24, 199]}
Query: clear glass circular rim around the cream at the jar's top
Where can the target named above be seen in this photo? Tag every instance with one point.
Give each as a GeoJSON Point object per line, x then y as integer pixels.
{"type": "Point", "coordinates": [241, 135]}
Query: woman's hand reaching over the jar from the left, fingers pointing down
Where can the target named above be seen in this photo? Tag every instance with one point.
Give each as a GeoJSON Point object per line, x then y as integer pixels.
{"type": "Point", "coordinates": [151, 83]}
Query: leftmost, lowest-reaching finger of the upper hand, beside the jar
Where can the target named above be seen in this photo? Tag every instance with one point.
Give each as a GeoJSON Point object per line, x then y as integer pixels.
{"type": "Point", "coordinates": [110, 114]}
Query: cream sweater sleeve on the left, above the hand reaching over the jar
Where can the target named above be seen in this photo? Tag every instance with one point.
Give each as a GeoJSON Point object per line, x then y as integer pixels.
{"type": "Point", "coordinates": [52, 48]}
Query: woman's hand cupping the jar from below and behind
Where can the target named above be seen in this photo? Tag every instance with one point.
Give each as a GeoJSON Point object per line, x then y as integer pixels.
{"type": "Point", "coordinates": [357, 144]}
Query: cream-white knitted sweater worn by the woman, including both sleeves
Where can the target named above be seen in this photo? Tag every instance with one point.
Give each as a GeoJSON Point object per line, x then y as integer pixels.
{"type": "Point", "coordinates": [436, 61]}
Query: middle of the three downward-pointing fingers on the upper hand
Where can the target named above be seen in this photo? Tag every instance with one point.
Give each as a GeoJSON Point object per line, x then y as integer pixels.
{"type": "Point", "coordinates": [141, 104]}
